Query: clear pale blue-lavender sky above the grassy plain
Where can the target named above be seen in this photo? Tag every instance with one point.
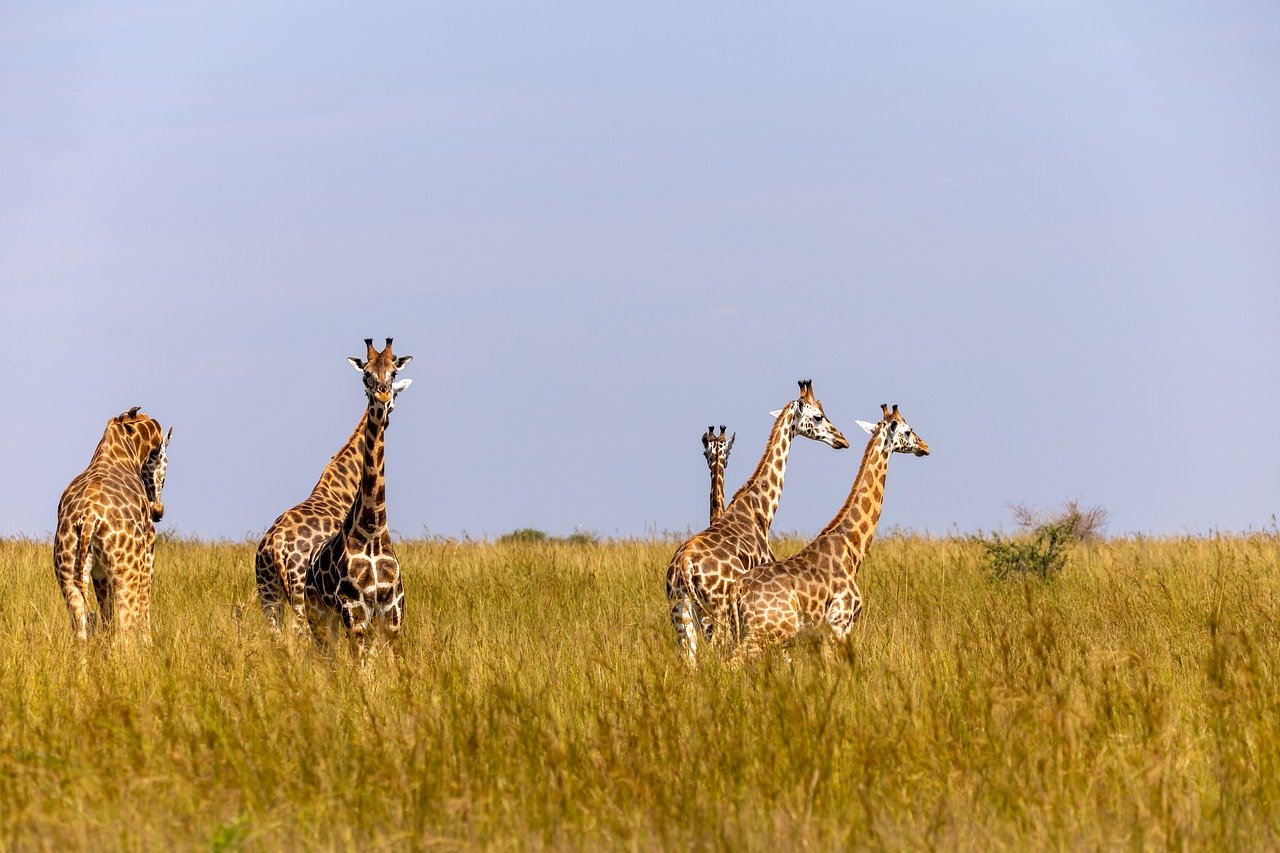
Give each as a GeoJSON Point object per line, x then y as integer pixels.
{"type": "Point", "coordinates": [1050, 232]}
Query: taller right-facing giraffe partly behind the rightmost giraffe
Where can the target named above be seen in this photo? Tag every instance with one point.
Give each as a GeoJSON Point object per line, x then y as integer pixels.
{"type": "Point", "coordinates": [705, 569]}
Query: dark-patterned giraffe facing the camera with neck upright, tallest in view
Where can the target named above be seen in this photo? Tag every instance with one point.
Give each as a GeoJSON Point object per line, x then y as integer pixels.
{"type": "Point", "coordinates": [354, 578]}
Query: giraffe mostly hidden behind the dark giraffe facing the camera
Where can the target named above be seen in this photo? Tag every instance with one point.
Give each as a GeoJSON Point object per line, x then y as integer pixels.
{"type": "Point", "coordinates": [287, 548]}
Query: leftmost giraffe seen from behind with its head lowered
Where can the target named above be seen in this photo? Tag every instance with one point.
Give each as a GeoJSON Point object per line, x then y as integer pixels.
{"type": "Point", "coordinates": [107, 526]}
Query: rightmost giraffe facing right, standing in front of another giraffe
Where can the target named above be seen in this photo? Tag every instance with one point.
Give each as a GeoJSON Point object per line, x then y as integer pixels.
{"type": "Point", "coordinates": [778, 601]}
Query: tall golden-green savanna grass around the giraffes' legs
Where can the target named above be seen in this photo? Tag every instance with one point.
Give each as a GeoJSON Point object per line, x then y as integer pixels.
{"type": "Point", "coordinates": [538, 701]}
